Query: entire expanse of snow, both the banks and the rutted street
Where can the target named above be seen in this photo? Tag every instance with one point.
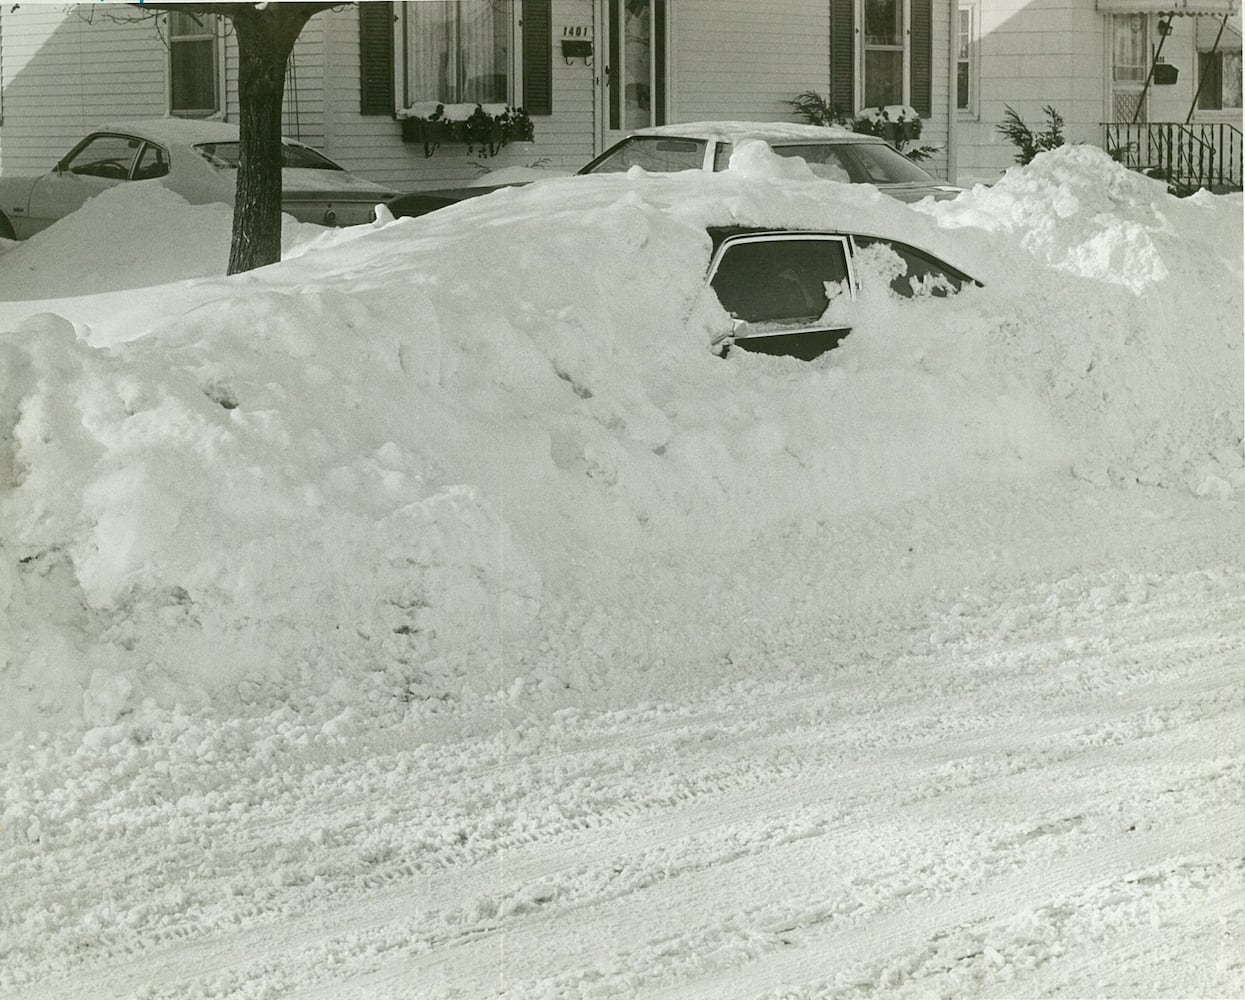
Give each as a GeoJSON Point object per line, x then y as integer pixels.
{"type": "Point", "coordinates": [434, 616]}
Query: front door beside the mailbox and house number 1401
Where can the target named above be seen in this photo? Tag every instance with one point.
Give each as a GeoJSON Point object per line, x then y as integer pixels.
{"type": "Point", "coordinates": [632, 55]}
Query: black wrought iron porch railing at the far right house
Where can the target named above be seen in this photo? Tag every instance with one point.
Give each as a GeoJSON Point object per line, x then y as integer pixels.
{"type": "Point", "coordinates": [1187, 158]}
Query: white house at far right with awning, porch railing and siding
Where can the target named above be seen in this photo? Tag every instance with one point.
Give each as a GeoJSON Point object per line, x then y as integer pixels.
{"type": "Point", "coordinates": [1158, 82]}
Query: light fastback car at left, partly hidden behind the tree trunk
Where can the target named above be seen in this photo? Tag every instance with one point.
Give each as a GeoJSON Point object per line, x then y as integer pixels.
{"type": "Point", "coordinates": [197, 160]}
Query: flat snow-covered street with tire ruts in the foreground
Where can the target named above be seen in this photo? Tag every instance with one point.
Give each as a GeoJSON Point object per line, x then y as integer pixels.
{"type": "Point", "coordinates": [1035, 790]}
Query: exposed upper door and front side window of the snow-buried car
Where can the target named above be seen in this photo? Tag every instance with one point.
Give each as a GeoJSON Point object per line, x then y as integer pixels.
{"type": "Point", "coordinates": [778, 288]}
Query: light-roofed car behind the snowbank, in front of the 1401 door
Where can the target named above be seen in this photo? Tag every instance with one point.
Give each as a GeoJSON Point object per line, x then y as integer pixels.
{"type": "Point", "coordinates": [834, 154]}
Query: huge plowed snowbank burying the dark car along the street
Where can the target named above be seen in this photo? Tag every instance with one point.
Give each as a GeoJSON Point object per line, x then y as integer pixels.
{"type": "Point", "coordinates": [397, 468]}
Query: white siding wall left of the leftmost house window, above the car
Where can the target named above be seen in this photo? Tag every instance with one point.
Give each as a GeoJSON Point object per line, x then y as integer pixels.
{"type": "Point", "coordinates": [67, 72]}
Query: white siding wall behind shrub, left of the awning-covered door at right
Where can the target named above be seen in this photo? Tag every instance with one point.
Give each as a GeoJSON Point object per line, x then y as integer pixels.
{"type": "Point", "coordinates": [1034, 53]}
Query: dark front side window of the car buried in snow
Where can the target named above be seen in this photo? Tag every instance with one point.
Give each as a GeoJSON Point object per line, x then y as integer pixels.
{"type": "Point", "coordinates": [779, 281]}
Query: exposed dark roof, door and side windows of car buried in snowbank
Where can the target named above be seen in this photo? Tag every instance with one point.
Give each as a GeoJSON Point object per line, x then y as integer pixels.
{"type": "Point", "coordinates": [776, 285]}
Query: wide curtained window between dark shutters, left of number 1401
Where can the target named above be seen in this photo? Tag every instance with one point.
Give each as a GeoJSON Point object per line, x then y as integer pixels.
{"type": "Point", "coordinates": [459, 52]}
